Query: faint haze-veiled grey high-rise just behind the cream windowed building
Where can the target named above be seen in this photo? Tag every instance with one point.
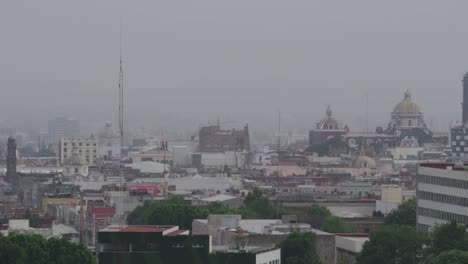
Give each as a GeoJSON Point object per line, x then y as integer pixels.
{"type": "Point", "coordinates": [62, 127]}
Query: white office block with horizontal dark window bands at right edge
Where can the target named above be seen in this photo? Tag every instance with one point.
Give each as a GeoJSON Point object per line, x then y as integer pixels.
{"type": "Point", "coordinates": [441, 194]}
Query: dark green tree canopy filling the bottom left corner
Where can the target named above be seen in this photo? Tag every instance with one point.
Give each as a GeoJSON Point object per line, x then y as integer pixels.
{"type": "Point", "coordinates": [19, 249]}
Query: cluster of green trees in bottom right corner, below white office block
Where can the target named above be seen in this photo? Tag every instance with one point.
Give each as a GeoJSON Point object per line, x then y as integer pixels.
{"type": "Point", "coordinates": [398, 241]}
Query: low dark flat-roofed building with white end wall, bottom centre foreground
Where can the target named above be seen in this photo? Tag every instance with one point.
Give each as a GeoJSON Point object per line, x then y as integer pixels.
{"type": "Point", "coordinates": [169, 244]}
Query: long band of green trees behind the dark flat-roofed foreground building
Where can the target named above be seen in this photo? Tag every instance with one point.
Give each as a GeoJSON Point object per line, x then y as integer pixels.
{"type": "Point", "coordinates": [175, 211]}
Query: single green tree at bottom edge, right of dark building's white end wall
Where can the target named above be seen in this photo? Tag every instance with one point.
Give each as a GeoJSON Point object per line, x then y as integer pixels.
{"type": "Point", "coordinates": [299, 248]}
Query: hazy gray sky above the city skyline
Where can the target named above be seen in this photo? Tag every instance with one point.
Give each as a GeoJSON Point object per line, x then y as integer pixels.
{"type": "Point", "coordinates": [192, 61]}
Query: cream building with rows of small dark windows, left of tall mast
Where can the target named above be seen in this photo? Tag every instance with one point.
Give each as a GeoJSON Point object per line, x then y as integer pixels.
{"type": "Point", "coordinates": [87, 149]}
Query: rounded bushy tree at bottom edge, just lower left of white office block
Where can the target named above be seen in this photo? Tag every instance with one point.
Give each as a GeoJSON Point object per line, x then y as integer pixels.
{"type": "Point", "coordinates": [393, 244]}
